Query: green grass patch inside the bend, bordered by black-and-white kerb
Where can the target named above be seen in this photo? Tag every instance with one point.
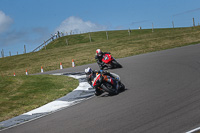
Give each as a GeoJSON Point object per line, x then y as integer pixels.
{"type": "Point", "coordinates": [23, 93]}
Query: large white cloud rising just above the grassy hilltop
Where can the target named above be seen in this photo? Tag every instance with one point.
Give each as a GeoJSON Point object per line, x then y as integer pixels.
{"type": "Point", "coordinates": [77, 25]}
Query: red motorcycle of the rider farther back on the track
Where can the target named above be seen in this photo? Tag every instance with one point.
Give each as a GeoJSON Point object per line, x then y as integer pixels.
{"type": "Point", "coordinates": [108, 62]}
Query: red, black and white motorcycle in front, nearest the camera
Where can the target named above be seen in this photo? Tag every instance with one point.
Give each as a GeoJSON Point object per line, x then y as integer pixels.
{"type": "Point", "coordinates": [104, 86]}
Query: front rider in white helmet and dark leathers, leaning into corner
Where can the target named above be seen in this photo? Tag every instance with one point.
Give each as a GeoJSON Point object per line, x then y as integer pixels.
{"type": "Point", "coordinates": [90, 75]}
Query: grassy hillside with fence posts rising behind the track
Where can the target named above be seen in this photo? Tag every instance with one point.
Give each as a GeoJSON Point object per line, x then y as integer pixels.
{"type": "Point", "coordinates": [79, 48]}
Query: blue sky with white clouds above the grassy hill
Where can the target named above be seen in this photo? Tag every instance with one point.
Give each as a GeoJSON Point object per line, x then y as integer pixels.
{"type": "Point", "coordinates": [31, 22]}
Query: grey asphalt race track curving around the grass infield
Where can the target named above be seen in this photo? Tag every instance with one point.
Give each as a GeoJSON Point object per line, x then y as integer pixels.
{"type": "Point", "coordinates": [162, 96]}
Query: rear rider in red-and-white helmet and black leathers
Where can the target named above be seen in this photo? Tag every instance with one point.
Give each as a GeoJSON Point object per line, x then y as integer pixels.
{"type": "Point", "coordinates": [99, 55]}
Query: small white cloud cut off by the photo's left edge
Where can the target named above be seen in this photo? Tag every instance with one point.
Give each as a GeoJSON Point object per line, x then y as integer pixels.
{"type": "Point", "coordinates": [5, 22]}
